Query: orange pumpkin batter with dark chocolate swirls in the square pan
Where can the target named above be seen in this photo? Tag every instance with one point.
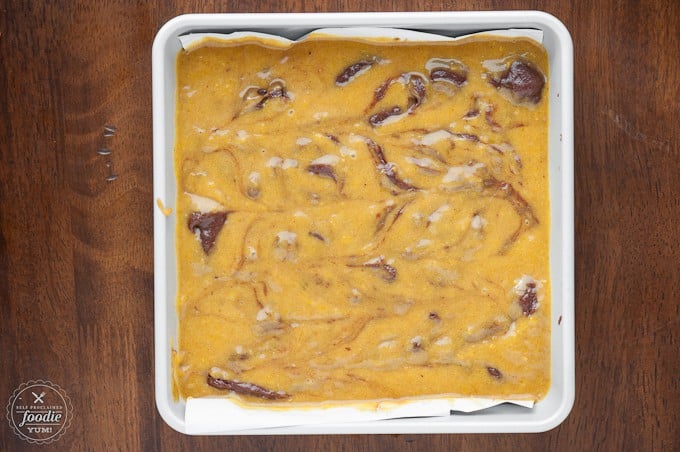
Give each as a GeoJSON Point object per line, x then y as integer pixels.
{"type": "Point", "coordinates": [363, 220]}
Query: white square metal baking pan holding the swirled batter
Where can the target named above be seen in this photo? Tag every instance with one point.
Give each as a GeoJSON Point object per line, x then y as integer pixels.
{"type": "Point", "coordinates": [548, 412]}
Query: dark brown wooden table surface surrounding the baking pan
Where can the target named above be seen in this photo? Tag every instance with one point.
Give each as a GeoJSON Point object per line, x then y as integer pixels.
{"type": "Point", "coordinates": [76, 251]}
